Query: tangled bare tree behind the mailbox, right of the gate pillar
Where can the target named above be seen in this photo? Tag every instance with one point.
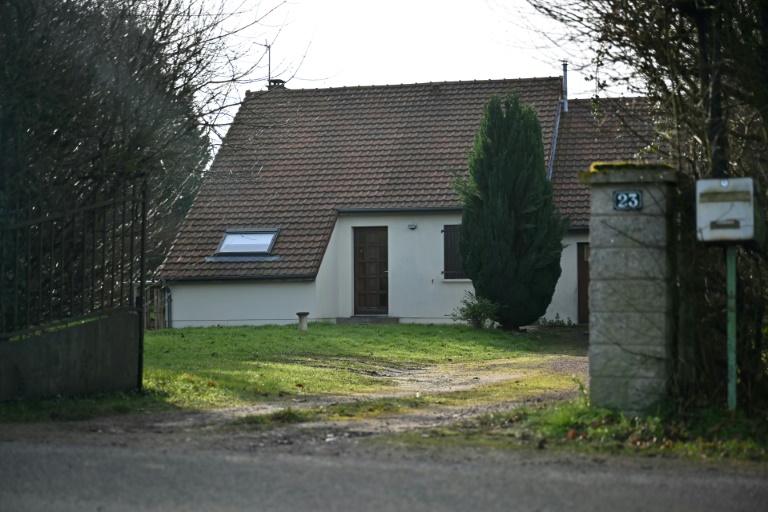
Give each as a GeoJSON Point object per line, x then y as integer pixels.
{"type": "Point", "coordinates": [705, 64]}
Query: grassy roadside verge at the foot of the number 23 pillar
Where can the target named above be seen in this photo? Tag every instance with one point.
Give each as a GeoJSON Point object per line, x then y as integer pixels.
{"type": "Point", "coordinates": [706, 434]}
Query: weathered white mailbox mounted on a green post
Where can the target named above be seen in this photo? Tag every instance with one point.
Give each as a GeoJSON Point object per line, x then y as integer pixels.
{"type": "Point", "coordinates": [725, 209]}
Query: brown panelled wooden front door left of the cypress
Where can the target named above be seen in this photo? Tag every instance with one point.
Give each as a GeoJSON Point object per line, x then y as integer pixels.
{"type": "Point", "coordinates": [371, 266]}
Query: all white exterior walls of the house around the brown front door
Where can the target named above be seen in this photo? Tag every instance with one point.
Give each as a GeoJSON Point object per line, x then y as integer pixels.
{"type": "Point", "coordinates": [418, 293]}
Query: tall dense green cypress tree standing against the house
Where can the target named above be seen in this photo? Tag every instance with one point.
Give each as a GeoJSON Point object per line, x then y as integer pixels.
{"type": "Point", "coordinates": [511, 235]}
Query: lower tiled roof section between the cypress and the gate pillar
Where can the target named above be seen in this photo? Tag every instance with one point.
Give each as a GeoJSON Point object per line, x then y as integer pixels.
{"type": "Point", "coordinates": [613, 130]}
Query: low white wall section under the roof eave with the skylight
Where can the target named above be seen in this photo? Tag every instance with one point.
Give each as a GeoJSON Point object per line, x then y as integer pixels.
{"type": "Point", "coordinates": [204, 303]}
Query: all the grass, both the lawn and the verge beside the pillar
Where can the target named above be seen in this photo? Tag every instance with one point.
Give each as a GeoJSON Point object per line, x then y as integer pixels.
{"type": "Point", "coordinates": [220, 367]}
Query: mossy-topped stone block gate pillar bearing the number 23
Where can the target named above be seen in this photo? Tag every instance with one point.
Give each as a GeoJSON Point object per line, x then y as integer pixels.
{"type": "Point", "coordinates": [631, 287]}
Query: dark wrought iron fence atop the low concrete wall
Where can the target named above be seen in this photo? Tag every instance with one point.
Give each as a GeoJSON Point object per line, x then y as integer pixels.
{"type": "Point", "coordinates": [64, 267]}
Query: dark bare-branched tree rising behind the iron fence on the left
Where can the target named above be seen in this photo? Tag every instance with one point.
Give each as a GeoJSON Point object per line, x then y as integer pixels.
{"type": "Point", "coordinates": [97, 92]}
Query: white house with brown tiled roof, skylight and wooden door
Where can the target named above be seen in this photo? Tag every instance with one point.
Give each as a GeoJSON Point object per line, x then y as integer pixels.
{"type": "Point", "coordinates": [338, 202]}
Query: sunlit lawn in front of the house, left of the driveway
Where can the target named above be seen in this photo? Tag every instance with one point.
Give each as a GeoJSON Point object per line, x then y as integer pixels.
{"type": "Point", "coordinates": [200, 368]}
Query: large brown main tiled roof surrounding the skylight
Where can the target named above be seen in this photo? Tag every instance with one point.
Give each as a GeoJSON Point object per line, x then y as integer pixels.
{"type": "Point", "coordinates": [293, 158]}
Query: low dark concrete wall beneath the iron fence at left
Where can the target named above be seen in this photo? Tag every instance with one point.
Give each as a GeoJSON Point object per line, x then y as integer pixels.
{"type": "Point", "coordinates": [98, 356]}
